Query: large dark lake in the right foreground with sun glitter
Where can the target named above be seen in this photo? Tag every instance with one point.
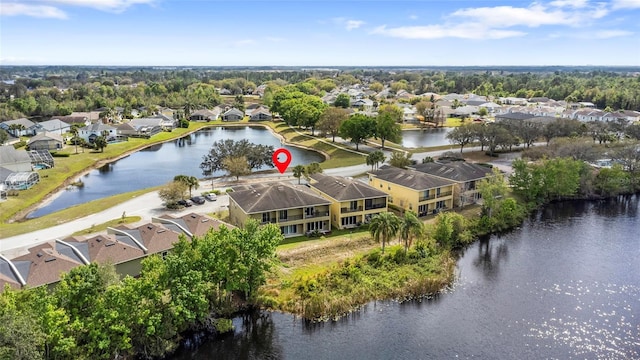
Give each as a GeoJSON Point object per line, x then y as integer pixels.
{"type": "Point", "coordinates": [565, 285]}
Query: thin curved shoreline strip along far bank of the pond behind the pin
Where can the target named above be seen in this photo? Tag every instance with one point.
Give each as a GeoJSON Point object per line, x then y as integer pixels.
{"type": "Point", "coordinates": [22, 215]}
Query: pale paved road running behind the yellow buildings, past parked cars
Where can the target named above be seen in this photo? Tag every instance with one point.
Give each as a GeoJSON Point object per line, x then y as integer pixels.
{"type": "Point", "coordinates": [149, 205]}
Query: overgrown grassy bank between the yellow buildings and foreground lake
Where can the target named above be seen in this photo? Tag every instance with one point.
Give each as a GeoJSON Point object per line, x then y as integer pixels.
{"type": "Point", "coordinates": [325, 281]}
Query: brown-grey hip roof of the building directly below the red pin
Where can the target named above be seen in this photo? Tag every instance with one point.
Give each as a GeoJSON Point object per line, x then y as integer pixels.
{"type": "Point", "coordinates": [277, 196]}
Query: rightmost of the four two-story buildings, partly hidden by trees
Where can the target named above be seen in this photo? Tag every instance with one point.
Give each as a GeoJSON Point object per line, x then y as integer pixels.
{"type": "Point", "coordinates": [466, 175]}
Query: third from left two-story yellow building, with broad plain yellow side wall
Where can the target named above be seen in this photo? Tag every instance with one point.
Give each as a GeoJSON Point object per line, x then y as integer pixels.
{"type": "Point", "coordinates": [413, 190]}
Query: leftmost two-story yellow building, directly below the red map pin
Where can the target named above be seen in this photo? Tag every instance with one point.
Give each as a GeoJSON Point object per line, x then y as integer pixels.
{"type": "Point", "coordinates": [297, 210]}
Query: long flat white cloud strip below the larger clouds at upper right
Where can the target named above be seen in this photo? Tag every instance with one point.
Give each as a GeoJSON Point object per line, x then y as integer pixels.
{"type": "Point", "coordinates": [462, 31]}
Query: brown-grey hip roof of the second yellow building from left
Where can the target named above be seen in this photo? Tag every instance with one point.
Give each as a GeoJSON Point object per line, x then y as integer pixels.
{"type": "Point", "coordinates": [343, 189]}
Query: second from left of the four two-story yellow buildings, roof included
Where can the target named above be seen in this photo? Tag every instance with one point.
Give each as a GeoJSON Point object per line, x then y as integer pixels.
{"type": "Point", "coordinates": [352, 202]}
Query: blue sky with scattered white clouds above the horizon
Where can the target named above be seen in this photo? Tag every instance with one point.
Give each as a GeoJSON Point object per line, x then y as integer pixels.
{"type": "Point", "coordinates": [320, 33]}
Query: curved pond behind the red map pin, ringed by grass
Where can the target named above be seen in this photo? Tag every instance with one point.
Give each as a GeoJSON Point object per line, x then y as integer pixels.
{"type": "Point", "coordinates": [158, 164]}
